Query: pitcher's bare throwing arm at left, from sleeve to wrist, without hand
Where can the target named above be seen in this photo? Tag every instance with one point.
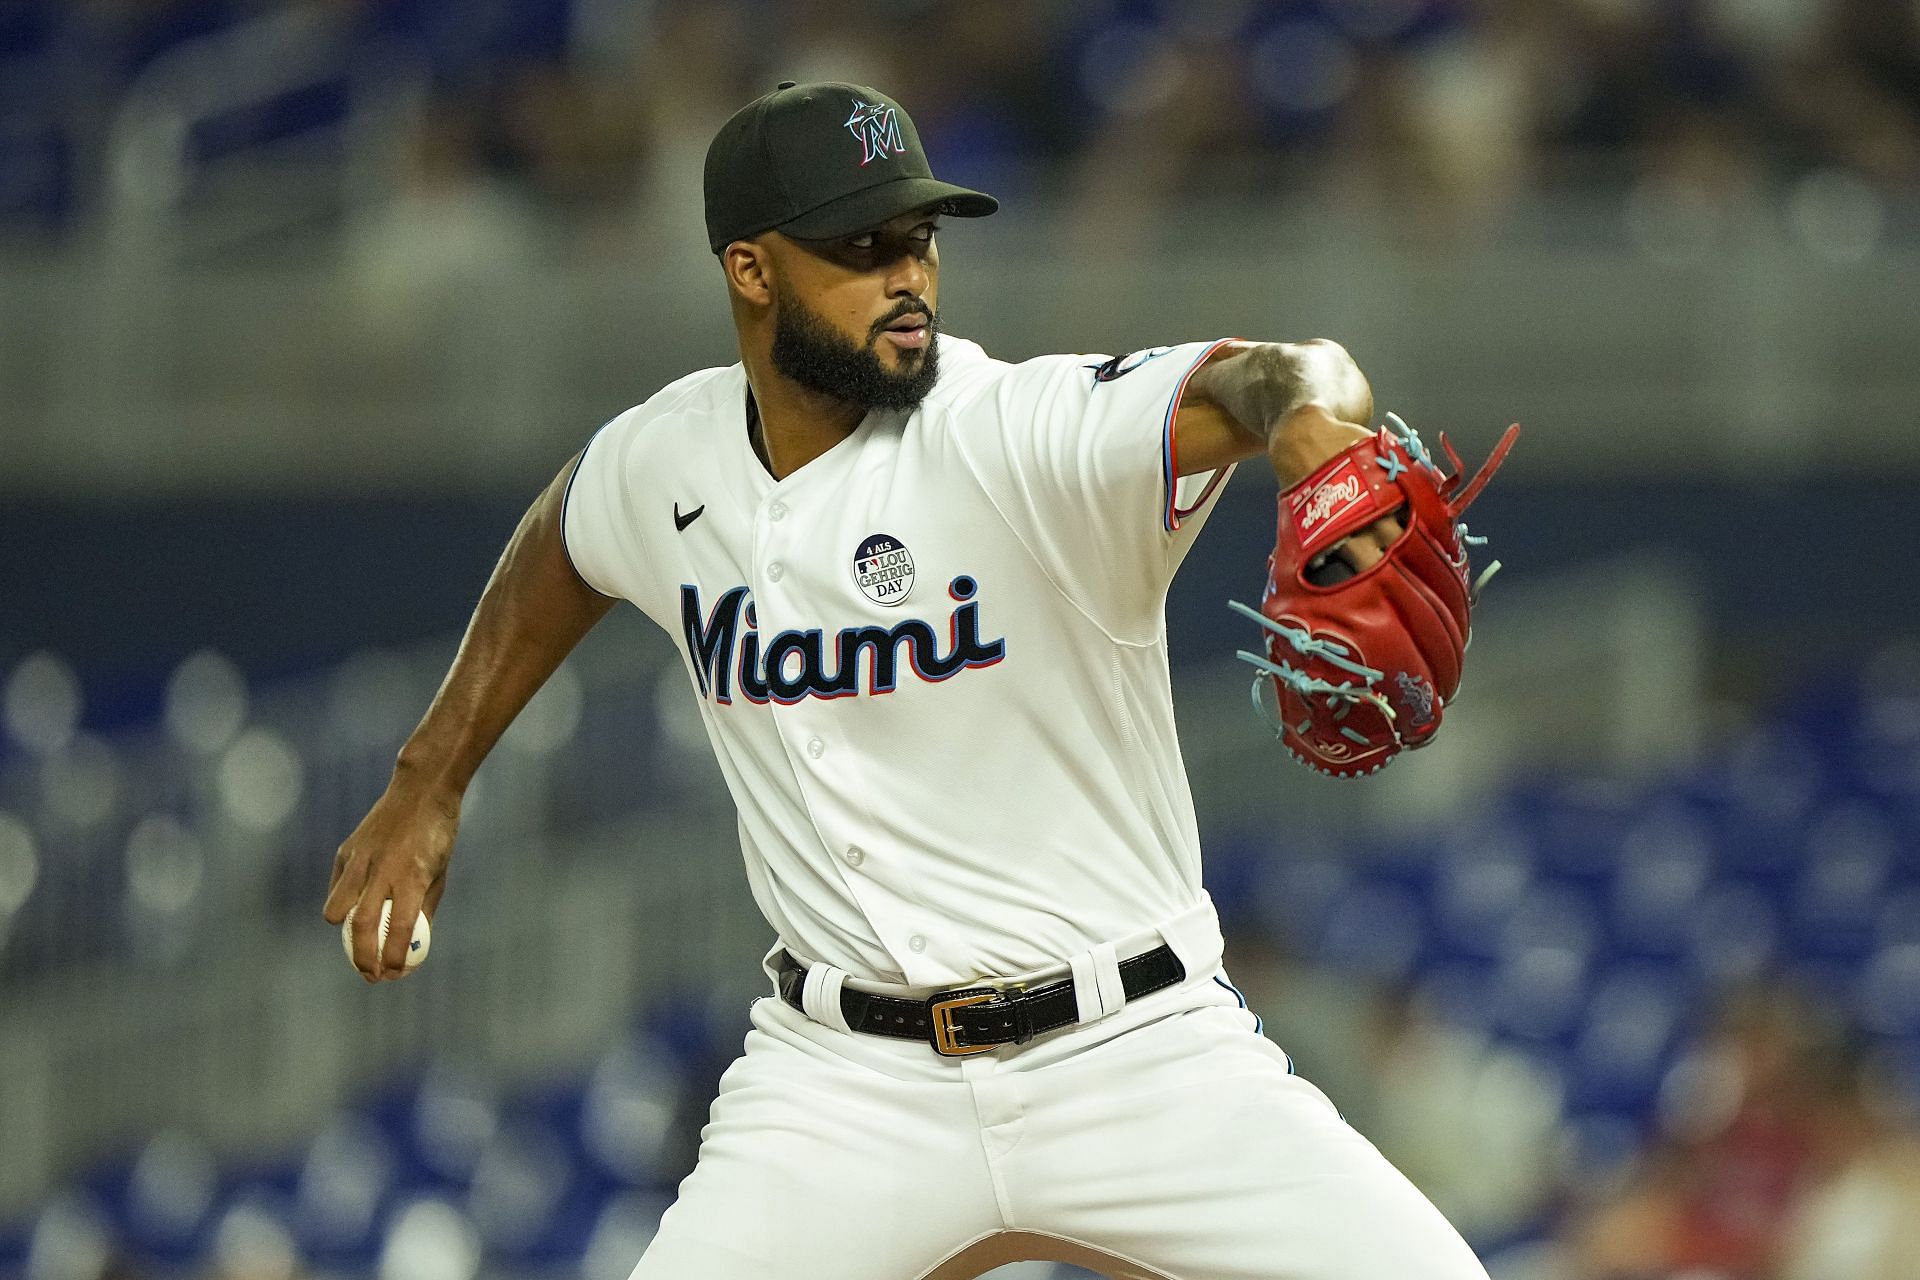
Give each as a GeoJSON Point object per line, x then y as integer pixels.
{"type": "Point", "coordinates": [535, 611]}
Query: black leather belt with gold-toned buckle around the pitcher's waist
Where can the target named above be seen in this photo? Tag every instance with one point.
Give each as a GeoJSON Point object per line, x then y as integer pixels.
{"type": "Point", "coordinates": [974, 1020]}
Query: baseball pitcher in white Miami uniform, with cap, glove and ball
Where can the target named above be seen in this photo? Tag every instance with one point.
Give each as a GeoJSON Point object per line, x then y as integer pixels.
{"type": "Point", "coordinates": [921, 602]}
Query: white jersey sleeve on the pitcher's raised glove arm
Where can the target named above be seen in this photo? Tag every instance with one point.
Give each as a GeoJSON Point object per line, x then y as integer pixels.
{"type": "Point", "coordinates": [1080, 456]}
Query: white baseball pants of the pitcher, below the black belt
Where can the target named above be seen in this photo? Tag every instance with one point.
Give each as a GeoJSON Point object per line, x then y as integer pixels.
{"type": "Point", "coordinates": [1164, 1143]}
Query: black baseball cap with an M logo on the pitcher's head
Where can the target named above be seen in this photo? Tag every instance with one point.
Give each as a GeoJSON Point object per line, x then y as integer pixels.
{"type": "Point", "coordinates": [819, 162]}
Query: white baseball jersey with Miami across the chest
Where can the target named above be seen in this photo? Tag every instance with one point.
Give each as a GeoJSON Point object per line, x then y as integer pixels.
{"type": "Point", "coordinates": [934, 661]}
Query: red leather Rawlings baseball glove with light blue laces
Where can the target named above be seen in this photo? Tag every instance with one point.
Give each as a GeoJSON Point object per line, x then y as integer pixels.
{"type": "Point", "coordinates": [1364, 665]}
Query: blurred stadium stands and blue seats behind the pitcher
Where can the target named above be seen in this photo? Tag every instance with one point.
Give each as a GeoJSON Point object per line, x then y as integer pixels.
{"type": "Point", "coordinates": [302, 302]}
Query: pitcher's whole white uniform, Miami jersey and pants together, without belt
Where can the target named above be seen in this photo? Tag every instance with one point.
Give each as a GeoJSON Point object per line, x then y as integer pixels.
{"type": "Point", "coordinates": [934, 669]}
